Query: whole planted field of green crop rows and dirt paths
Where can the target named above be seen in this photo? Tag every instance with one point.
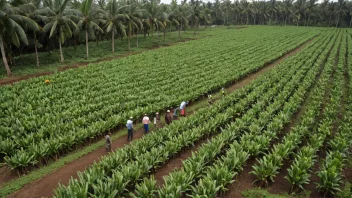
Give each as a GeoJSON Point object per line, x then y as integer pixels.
{"type": "Point", "coordinates": [284, 125]}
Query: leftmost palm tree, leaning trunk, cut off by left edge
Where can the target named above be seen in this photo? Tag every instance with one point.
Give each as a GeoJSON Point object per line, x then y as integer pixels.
{"type": "Point", "coordinates": [12, 25]}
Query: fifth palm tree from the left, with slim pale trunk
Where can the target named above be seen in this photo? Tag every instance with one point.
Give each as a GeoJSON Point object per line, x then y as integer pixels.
{"type": "Point", "coordinates": [113, 22]}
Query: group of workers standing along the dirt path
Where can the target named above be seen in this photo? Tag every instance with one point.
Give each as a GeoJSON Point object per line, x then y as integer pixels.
{"type": "Point", "coordinates": [157, 122]}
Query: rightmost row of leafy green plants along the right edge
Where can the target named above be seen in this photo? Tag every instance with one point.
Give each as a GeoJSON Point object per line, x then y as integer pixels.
{"type": "Point", "coordinates": [330, 173]}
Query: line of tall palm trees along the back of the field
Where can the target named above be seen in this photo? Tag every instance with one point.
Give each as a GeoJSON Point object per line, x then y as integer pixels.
{"type": "Point", "coordinates": [47, 24]}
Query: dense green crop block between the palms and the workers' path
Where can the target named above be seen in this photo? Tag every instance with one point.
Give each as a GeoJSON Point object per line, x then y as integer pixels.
{"type": "Point", "coordinates": [81, 104]}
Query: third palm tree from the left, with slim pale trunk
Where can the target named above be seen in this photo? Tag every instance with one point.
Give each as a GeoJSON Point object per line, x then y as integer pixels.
{"type": "Point", "coordinates": [60, 26]}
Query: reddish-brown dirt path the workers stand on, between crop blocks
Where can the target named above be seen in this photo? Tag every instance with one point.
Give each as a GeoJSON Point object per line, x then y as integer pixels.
{"type": "Point", "coordinates": [45, 186]}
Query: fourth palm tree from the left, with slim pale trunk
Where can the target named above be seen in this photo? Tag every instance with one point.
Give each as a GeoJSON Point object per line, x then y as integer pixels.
{"type": "Point", "coordinates": [86, 21]}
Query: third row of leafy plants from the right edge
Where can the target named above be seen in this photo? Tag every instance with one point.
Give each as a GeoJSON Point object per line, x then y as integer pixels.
{"type": "Point", "coordinates": [269, 165]}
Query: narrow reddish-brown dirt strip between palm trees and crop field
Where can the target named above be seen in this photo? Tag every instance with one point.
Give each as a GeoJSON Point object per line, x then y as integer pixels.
{"type": "Point", "coordinates": [13, 79]}
